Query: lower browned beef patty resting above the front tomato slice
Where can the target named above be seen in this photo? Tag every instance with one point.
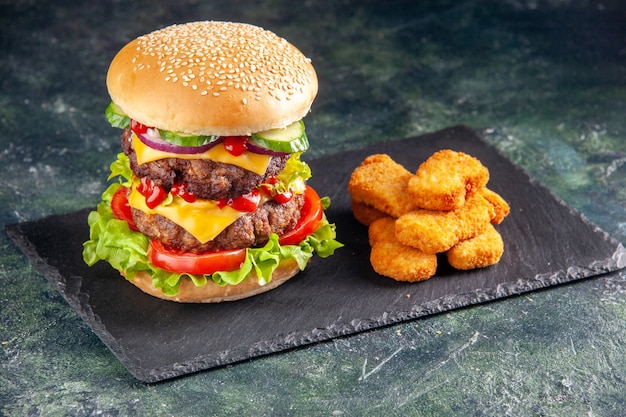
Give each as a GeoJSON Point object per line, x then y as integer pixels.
{"type": "Point", "coordinates": [251, 229]}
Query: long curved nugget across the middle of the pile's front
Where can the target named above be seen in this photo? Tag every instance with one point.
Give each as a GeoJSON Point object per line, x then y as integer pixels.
{"type": "Point", "coordinates": [433, 231]}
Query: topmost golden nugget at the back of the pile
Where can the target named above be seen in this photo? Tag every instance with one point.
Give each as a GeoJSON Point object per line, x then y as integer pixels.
{"type": "Point", "coordinates": [443, 181]}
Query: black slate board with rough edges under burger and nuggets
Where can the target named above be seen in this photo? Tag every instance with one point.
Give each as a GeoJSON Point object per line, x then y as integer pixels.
{"type": "Point", "coordinates": [546, 243]}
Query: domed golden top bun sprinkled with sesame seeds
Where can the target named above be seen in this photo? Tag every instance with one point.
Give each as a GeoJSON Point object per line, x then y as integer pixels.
{"type": "Point", "coordinates": [212, 78]}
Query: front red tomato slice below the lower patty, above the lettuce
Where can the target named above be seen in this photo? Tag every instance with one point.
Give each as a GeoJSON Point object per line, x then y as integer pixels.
{"type": "Point", "coordinates": [195, 263]}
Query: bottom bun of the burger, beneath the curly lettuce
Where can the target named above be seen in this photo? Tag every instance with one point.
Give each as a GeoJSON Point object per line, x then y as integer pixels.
{"type": "Point", "coordinates": [211, 292]}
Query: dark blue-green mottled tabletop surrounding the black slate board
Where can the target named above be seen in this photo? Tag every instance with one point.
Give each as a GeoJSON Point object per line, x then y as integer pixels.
{"type": "Point", "coordinates": [544, 81]}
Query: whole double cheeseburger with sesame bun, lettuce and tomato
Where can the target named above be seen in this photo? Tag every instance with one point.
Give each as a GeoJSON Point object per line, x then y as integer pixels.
{"type": "Point", "coordinates": [211, 202]}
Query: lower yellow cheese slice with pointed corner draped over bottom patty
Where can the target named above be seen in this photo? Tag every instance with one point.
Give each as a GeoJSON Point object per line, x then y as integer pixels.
{"type": "Point", "coordinates": [202, 218]}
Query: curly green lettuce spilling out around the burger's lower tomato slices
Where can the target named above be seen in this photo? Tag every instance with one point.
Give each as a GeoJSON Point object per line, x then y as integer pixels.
{"type": "Point", "coordinates": [111, 240]}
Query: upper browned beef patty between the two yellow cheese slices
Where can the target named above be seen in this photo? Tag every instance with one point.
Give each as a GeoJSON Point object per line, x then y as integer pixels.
{"type": "Point", "coordinates": [206, 179]}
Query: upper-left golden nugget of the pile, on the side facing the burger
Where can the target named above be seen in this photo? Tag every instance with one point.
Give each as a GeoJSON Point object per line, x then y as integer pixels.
{"type": "Point", "coordinates": [381, 183]}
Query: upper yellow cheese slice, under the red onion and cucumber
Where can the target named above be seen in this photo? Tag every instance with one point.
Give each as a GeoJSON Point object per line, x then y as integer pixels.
{"type": "Point", "coordinates": [250, 161]}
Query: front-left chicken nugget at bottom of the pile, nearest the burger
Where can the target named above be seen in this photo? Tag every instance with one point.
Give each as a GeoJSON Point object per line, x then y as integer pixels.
{"type": "Point", "coordinates": [401, 262]}
